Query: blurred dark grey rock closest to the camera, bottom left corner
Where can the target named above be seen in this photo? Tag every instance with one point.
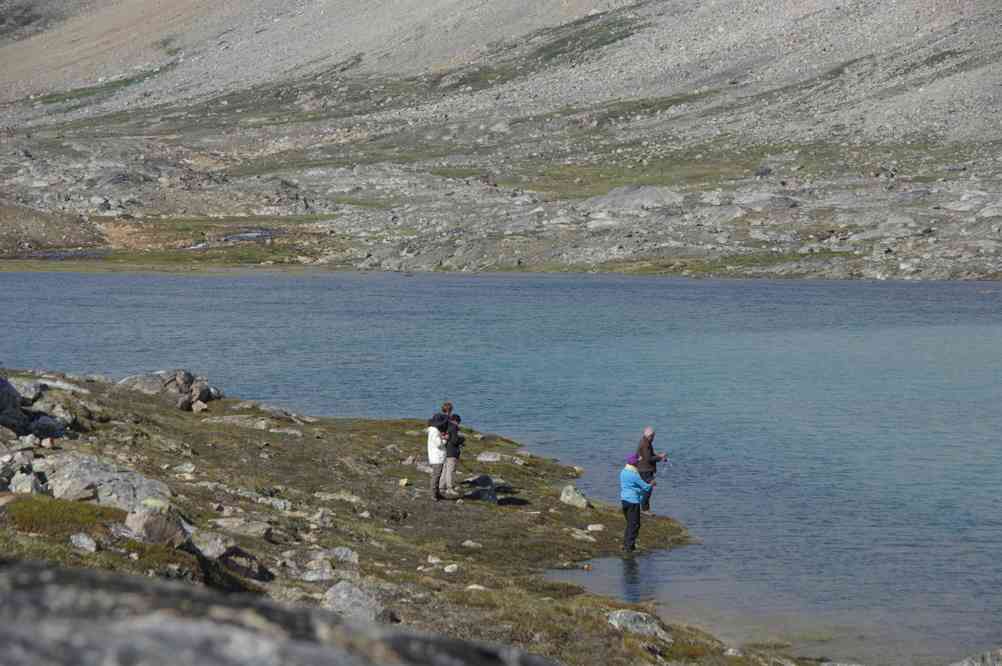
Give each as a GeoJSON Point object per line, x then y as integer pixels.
{"type": "Point", "coordinates": [86, 618]}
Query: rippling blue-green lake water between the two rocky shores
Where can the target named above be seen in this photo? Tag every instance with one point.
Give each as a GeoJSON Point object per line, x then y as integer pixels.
{"type": "Point", "coordinates": [836, 445]}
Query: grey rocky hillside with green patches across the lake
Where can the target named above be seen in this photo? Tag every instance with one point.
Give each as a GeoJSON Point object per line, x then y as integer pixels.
{"type": "Point", "coordinates": [862, 140]}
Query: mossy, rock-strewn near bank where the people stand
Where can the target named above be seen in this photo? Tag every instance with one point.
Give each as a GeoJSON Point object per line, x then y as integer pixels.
{"type": "Point", "coordinates": [136, 478]}
